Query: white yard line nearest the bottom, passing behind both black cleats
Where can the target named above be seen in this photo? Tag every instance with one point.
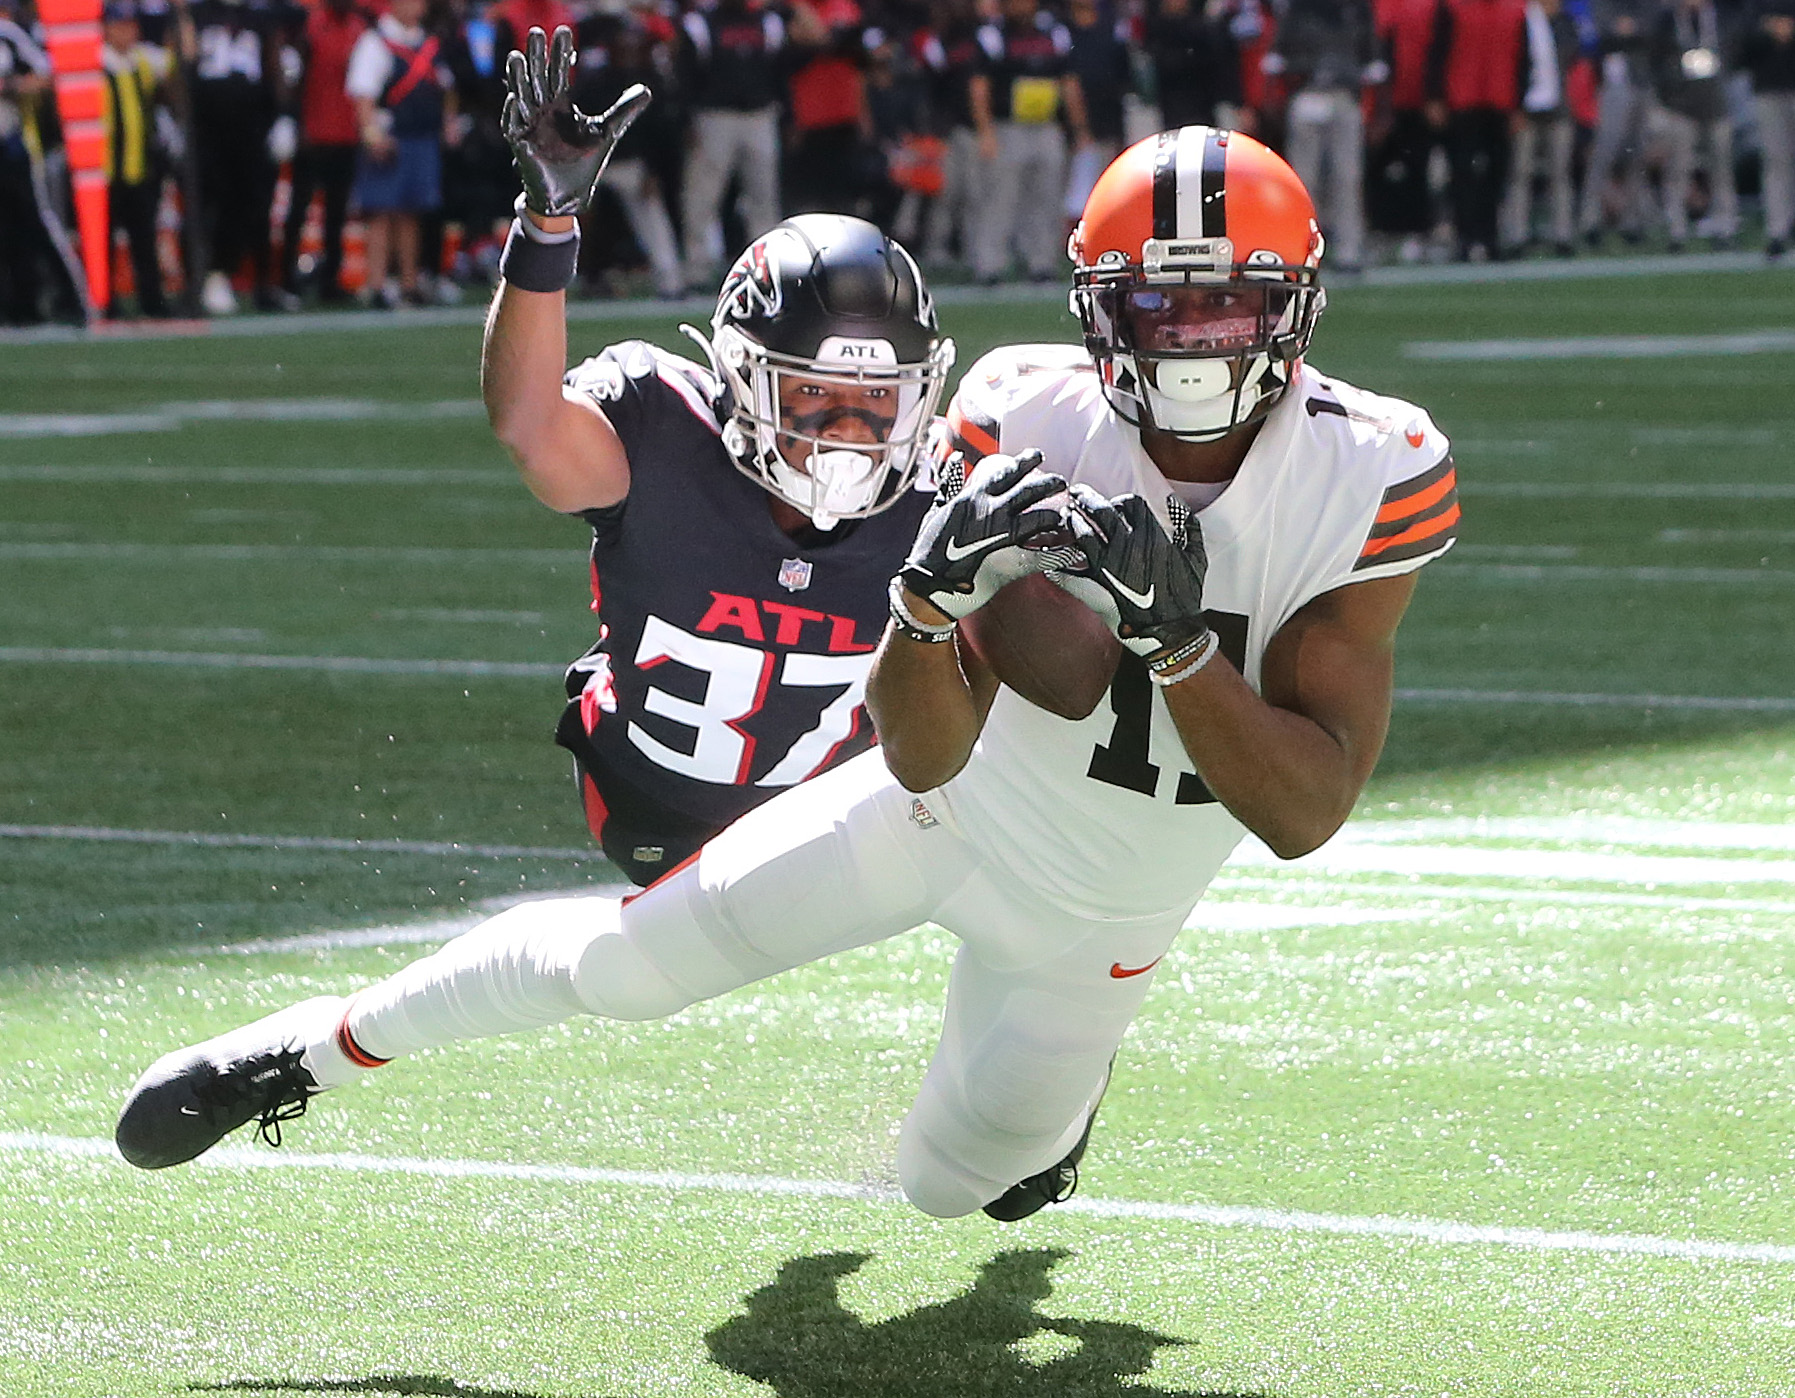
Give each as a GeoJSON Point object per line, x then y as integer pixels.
{"type": "Point", "coordinates": [1440, 1232]}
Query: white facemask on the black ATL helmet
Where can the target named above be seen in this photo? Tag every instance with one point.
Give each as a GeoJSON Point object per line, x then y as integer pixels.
{"type": "Point", "coordinates": [792, 453]}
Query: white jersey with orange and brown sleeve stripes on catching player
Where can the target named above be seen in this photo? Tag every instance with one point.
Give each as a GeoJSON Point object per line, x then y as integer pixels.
{"type": "Point", "coordinates": [1107, 816]}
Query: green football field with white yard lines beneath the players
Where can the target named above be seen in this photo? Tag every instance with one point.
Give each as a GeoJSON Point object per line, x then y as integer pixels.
{"type": "Point", "coordinates": [1493, 1096]}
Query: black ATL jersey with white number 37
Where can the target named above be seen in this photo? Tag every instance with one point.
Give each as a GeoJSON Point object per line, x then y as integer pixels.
{"type": "Point", "coordinates": [731, 658]}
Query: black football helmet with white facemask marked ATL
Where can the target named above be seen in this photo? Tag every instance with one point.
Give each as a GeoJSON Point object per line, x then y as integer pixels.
{"type": "Point", "coordinates": [825, 297]}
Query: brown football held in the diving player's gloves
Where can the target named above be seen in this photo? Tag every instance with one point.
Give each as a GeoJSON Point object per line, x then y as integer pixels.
{"type": "Point", "coordinates": [1046, 645]}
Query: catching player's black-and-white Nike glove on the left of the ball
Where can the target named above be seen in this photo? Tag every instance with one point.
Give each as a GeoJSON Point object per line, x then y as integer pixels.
{"type": "Point", "coordinates": [974, 539]}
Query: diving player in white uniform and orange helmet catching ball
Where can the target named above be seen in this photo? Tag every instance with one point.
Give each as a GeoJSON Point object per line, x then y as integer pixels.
{"type": "Point", "coordinates": [1250, 532]}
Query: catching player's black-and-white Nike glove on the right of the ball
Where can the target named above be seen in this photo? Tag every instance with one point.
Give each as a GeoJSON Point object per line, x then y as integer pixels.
{"type": "Point", "coordinates": [1144, 584]}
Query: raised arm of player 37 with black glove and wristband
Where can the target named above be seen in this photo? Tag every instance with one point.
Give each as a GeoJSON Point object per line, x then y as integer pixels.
{"type": "Point", "coordinates": [563, 444]}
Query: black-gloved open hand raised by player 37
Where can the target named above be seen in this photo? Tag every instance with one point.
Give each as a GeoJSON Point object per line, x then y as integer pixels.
{"type": "Point", "coordinates": [561, 152]}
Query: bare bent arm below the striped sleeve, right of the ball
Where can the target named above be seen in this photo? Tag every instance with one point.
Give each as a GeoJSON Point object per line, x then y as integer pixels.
{"type": "Point", "coordinates": [1292, 762]}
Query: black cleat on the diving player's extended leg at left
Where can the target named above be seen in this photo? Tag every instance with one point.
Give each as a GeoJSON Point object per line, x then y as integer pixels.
{"type": "Point", "coordinates": [195, 1097]}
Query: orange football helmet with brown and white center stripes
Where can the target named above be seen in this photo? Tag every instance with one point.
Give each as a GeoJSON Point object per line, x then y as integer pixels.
{"type": "Point", "coordinates": [1196, 281]}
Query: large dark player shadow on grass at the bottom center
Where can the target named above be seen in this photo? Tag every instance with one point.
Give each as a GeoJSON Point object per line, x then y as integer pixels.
{"type": "Point", "coordinates": [798, 1338]}
